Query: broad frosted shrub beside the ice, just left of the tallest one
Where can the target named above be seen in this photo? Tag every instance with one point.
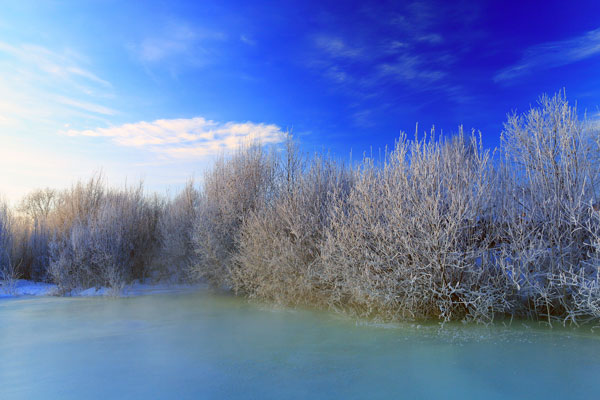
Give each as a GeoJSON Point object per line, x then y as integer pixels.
{"type": "Point", "coordinates": [411, 240]}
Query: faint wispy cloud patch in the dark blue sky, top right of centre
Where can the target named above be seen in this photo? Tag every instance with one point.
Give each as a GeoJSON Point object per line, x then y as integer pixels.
{"type": "Point", "coordinates": [397, 50]}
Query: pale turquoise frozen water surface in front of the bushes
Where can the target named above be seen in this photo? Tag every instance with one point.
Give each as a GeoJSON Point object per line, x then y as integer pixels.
{"type": "Point", "coordinates": [205, 345]}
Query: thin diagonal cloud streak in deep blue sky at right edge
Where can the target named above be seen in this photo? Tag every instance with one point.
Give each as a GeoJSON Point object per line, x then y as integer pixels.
{"type": "Point", "coordinates": [553, 54]}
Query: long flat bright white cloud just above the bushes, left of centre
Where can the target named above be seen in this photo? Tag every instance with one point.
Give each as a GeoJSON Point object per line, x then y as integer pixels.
{"type": "Point", "coordinates": [186, 138]}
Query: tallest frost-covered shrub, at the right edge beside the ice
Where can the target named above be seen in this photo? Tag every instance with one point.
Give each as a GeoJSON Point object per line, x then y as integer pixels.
{"type": "Point", "coordinates": [550, 222]}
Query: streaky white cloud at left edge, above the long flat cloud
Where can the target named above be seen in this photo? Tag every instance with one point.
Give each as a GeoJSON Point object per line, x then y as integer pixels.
{"type": "Point", "coordinates": [43, 83]}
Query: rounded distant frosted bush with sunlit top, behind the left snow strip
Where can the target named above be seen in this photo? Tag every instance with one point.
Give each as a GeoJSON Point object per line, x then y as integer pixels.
{"type": "Point", "coordinates": [108, 237]}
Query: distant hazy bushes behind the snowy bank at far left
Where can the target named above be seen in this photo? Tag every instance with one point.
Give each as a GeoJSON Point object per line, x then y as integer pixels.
{"type": "Point", "coordinates": [85, 236]}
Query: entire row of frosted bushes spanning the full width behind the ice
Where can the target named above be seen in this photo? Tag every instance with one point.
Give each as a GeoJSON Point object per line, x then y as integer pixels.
{"type": "Point", "coordinates": [437, 228]}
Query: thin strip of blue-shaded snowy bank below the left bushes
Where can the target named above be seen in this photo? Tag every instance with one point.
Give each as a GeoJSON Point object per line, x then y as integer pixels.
{"type": "Point", "coordinates": [24, 287]}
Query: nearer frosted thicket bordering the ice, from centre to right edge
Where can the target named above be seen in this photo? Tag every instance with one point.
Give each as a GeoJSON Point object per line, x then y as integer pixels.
{"type": "Point", "coordinates": [440, 228]}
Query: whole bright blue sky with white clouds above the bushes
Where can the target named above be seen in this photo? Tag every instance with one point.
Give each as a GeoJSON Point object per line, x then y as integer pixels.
{"type": "Point", "coordinates": [156, 89]}
